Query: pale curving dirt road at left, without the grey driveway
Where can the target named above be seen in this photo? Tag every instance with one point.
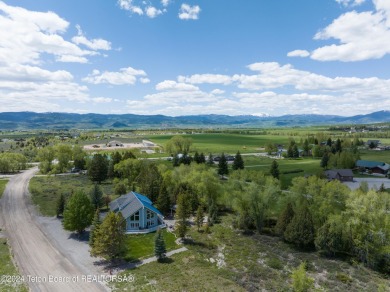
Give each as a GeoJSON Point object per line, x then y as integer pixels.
{"type": "Point", "coordinates": [44, 268]}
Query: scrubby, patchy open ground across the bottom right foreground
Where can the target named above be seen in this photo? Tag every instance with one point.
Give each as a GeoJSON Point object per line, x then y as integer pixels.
{"type": "Point", "coordinates": [226, 260]}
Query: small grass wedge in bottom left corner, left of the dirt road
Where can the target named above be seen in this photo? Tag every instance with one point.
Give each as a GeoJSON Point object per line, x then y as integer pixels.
{"type": "Point", "coordinates": [10, 280]}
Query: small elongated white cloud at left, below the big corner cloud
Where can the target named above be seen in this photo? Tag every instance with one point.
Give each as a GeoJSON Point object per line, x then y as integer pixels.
{"type": "Point", "coordinates": [125, 76]}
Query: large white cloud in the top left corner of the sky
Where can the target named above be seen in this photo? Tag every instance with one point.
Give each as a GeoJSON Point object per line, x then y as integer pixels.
{"type": "Point", "coordinates": [26, 35]}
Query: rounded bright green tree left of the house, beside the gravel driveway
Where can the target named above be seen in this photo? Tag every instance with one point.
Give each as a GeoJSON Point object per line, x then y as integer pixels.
{"type": "Point", "coordinates": [78, 213]}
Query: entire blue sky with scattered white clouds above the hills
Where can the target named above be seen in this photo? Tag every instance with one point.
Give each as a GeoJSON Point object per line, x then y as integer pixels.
{"type": "Point", "coordinates": [179, 57]}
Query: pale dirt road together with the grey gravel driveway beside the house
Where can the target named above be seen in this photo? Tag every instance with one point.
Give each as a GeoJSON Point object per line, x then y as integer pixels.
{"type": "Point", "coordinates": [44, 263]}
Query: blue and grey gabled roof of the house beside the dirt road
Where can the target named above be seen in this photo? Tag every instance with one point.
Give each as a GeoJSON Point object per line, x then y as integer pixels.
{"type": "Point", "coordinates": [130, 203]}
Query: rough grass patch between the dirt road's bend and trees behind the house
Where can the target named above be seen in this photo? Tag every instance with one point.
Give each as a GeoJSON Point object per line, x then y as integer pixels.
{"type": "Point", "coordinates": [45, 190]}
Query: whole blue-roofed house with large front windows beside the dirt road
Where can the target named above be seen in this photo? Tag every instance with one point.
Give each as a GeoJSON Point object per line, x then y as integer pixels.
{"type": "Point", "coordinates": [139, 213]}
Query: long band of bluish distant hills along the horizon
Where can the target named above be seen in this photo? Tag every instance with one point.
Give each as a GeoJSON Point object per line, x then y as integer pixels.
{"type": "Point", "coordinates": [31, 120]}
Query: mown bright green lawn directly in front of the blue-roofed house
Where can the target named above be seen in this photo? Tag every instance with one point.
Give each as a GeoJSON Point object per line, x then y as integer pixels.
{"type": "Point", "coordinates": [141, 246]}
